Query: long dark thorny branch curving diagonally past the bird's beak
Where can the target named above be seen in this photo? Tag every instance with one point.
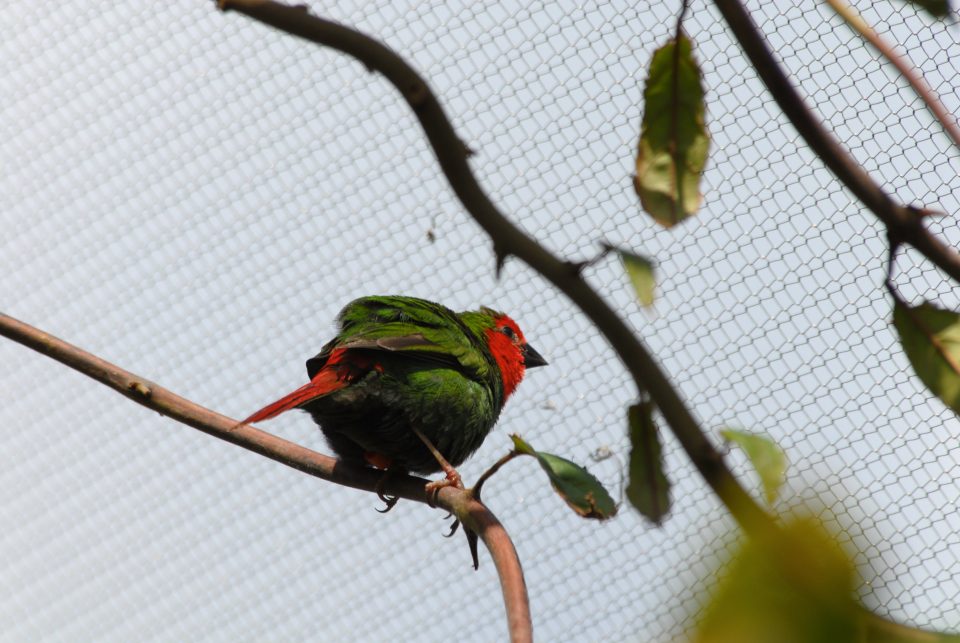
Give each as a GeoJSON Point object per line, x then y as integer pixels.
{"type": "Point", "coordinates": [509, 240]}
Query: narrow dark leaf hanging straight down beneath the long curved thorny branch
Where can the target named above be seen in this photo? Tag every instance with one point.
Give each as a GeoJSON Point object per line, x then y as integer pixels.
{"type": "Point", "coordinates": [649, 489]}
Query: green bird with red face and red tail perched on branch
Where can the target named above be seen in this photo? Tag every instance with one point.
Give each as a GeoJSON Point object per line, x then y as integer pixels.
{"type": "Point", "coordinates": [409, 385]}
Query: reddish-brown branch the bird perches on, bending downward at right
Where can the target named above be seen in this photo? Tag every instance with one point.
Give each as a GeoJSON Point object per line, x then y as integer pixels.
{"type": "Point", "coordinates": [468, 510]}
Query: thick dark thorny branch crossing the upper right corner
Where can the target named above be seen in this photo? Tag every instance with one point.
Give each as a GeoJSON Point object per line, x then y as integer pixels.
{"type": "Point", "coordinates": [903, 223]}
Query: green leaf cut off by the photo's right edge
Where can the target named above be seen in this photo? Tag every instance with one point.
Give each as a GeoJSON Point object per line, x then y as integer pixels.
{"type": "Point", "coordinates": [931, 340]}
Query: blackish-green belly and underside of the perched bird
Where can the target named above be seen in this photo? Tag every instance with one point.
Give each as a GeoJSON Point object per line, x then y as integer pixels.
{"type": "Point", "coordinates": [377, 414]}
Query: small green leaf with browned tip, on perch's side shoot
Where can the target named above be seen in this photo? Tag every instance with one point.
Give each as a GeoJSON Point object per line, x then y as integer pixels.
{"type": "Point", "coordinates": [577, 486]}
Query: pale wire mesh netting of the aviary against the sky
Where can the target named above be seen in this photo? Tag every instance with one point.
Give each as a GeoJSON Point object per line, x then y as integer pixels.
{"type": "Point", "coordinates": [194, 196]}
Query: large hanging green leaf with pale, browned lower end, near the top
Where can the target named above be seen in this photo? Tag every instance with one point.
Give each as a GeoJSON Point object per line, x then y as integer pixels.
{"type": "Point", "coordinates": [674, 142]}
